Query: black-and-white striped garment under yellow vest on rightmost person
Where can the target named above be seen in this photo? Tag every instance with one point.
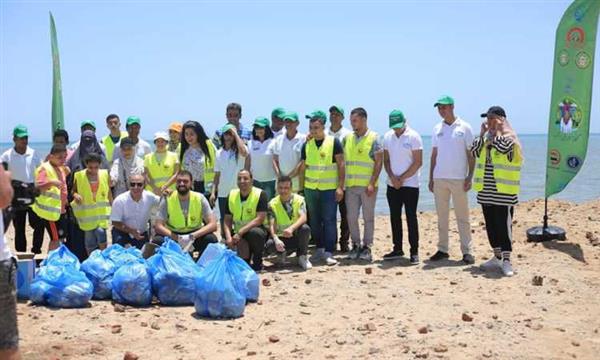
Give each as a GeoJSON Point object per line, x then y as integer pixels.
{"type": "Point", "coordinates": [489, 194]}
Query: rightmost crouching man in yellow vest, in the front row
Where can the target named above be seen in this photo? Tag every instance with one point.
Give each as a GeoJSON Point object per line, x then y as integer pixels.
{"type": "Point", "coordinates": [287, 224]}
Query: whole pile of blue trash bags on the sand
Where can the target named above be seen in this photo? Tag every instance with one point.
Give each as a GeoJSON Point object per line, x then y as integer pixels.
{"type": "Point", "coordinates": [219, 285]}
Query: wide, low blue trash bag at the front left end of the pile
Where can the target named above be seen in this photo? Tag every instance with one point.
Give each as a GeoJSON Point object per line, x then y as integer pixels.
{"type": "Point", "coordinates": [61, 286]}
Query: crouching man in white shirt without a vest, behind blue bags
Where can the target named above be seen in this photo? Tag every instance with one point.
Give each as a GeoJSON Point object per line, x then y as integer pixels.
{"type": "Point", "coordinates": [131, 213]}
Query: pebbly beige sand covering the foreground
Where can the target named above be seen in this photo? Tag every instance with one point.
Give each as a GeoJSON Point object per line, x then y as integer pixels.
{"type": "Point", "coordinates": [388, 310]}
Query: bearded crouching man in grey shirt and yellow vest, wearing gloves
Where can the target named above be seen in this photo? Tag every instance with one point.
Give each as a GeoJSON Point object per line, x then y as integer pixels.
{"type": "Point", "coordinates": [186, 217]}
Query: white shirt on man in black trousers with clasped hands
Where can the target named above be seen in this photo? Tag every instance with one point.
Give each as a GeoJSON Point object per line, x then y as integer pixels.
{"type": "Point", "coordinates": [400, 150]}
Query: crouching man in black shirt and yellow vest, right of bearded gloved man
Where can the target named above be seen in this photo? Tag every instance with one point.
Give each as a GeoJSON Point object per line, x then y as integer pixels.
{"type": "Point", "coordinates": [245, 217]}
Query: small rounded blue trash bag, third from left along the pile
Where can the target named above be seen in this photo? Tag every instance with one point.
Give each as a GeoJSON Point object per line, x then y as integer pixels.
{"type": "Point", "coordinates": [132, 284]}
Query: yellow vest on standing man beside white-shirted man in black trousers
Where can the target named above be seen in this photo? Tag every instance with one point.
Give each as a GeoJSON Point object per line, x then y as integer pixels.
{"type": "Point", "coordinates": [359, 165]}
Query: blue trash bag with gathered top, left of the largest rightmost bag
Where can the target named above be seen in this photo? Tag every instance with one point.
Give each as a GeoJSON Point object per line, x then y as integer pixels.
{"type": "Point", "coordinates": [173, 277]}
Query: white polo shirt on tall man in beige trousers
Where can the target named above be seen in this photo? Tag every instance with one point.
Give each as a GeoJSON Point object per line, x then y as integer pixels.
{"type": "Point", "coordinates": [452, 142]}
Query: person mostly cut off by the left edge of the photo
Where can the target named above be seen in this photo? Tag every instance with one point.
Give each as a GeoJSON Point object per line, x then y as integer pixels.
{"type": "Point", "coordinates": [9, 334]}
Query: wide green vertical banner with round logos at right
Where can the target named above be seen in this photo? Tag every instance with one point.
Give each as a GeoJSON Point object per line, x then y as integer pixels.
{"type": "Point", "coordinates": [570, 105]}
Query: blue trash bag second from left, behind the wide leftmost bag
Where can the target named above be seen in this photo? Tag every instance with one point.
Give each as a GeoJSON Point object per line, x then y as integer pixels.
{"type": "Point", "coordinates": [99, 269]}
